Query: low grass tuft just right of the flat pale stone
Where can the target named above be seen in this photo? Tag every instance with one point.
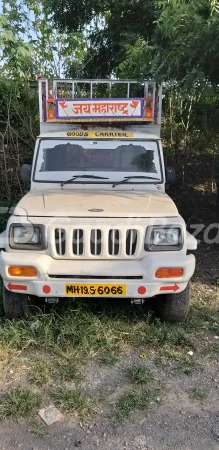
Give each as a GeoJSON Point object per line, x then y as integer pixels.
{"type": "Point", "coordinates": [74, 402]}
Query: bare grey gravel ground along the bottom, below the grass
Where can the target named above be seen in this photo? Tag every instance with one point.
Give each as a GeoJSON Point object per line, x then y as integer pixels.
{"type": "Point", "coordinates": [178, 423]}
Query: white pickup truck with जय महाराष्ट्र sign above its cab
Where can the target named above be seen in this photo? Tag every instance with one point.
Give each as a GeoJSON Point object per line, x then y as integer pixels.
{"type": "Point", "coordinates": [97, 221]}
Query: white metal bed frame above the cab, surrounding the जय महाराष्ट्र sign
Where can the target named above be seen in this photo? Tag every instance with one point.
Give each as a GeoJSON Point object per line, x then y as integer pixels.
{"type": "Point", "coordinates": [50, 91]}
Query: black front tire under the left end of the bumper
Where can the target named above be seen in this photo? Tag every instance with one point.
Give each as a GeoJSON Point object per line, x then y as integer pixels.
{"type": "Point", "coordinates": [16, 306]}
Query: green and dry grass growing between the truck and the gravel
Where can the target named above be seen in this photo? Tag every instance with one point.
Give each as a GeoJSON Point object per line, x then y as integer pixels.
{"type": "Point", "coordinates": [69, 337]}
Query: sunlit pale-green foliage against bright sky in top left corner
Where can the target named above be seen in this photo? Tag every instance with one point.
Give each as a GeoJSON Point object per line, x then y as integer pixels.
{"type": "Point", "coordinates": [30, 44]}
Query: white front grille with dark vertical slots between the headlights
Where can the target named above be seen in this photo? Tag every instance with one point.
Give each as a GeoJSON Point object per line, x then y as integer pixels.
{"type": "Point", "coordinates": [94, 243]}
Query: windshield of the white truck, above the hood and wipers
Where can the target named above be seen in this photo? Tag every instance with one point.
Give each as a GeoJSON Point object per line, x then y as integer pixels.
{"type": "Point", "coordinates": [59, 160]}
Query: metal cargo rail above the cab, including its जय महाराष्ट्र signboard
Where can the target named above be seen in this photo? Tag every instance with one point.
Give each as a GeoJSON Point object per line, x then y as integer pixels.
{"type": "Point", "coordinates": [107, 101]}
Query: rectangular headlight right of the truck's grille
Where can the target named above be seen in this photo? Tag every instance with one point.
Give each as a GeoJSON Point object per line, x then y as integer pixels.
{"type": "Point", "coordinates": [166, 238]}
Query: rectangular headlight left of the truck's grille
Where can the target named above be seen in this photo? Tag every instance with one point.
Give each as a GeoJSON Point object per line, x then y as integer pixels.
{"type": "Point", "coordinates": [27, 237]}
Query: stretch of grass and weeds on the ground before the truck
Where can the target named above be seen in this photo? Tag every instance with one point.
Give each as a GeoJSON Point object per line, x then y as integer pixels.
{"type": "Point", "coordinates": [47, 358]}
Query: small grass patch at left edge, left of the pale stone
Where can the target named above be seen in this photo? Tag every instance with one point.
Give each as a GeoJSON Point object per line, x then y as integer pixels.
{"type": "Point", "coordinates": [18, 403]}
